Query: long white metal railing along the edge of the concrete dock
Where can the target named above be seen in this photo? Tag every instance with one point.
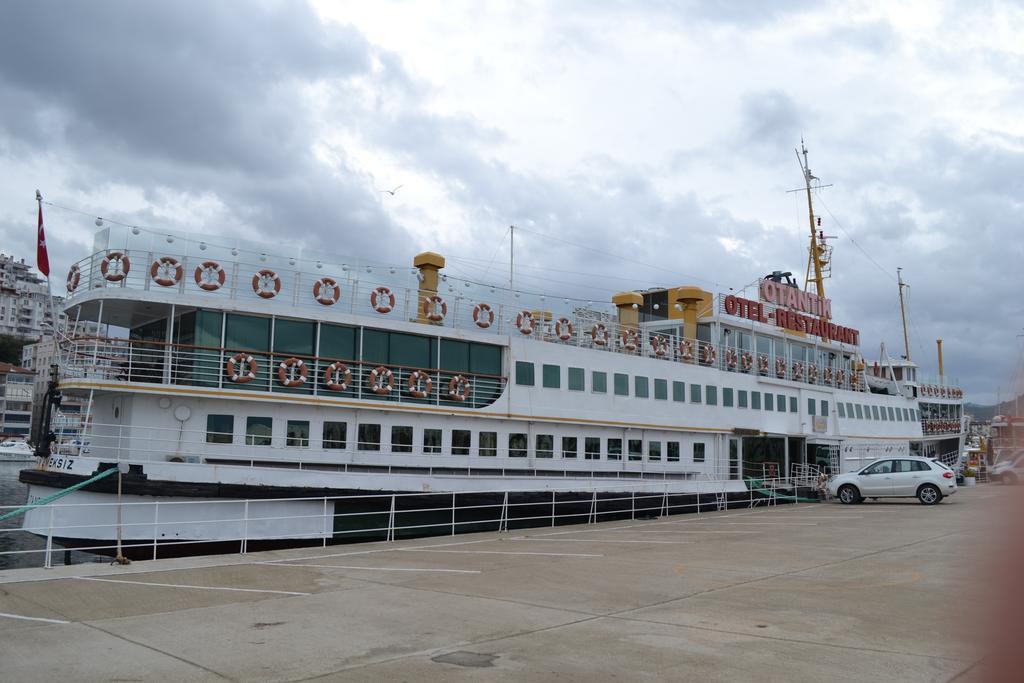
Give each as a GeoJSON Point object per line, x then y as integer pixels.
{"type": "Point", "coordinates": [232, 526]}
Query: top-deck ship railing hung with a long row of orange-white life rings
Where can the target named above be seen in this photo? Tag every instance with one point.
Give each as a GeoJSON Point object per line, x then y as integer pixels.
{"type": "Point", "coordinates": [519, 316]}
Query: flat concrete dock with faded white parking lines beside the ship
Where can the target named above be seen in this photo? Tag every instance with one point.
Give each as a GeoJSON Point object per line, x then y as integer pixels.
{"type": "Point", "coordinates": [880, 591]}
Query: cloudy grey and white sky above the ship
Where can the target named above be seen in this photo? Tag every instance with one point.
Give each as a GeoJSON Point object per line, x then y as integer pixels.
{"type": "Point", "coordinates": [633, 145]}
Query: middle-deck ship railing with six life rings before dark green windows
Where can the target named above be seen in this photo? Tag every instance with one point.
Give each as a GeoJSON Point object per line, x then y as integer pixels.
{"type": "Point", "coordinates": [248, 371]}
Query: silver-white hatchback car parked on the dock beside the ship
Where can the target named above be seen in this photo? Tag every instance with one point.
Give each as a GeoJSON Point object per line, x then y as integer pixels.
{"type": "Point", "coordinates": [907, 477]}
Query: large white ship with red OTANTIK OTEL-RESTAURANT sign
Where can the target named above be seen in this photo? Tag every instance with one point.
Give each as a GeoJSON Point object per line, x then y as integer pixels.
{"type": "Point", "coordinates": [229, 374]}
